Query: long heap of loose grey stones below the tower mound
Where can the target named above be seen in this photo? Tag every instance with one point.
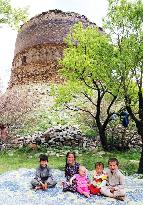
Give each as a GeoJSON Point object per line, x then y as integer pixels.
{"type": "Point", "coordinates": [58, 136]}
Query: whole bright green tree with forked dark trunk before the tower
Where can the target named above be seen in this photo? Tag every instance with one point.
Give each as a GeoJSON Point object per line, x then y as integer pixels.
{"type": "Point", "coordinates": [85, 61]}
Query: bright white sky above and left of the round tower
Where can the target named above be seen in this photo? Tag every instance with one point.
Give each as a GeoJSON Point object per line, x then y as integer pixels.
{"type": "Point", "coordinates": [94, 10]}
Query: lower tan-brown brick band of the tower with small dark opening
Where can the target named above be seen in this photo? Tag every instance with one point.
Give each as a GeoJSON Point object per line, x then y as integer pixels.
{"type": "Point", "coordinates": [37, 64]}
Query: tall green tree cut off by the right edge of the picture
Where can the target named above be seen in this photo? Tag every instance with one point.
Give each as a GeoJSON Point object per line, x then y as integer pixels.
{"type": "Point", "coordinates": [124, 22]}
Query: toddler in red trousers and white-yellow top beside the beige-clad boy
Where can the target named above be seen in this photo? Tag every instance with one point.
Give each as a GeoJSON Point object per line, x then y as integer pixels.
{"type": "Point", "coordinates": [99, 179]}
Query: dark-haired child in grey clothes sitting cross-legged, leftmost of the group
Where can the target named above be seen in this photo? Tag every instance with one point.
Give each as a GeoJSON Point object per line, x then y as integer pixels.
{"type": "Point", "coordinates": [43, 179]}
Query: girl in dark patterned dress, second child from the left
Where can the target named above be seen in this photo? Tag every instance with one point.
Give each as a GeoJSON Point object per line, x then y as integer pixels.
{"type": "Point", "coordinates": [71, 168]}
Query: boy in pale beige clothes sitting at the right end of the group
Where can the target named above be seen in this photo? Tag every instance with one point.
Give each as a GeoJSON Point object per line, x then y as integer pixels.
{"type": "Point", "coordinates": [115, 181]}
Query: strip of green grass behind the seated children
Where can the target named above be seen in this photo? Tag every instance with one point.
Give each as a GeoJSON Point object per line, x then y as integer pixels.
{"type": "Point", "coordinates": [26, 158]}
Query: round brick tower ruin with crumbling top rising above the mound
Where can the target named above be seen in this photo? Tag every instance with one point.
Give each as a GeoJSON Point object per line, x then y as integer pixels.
{"type": "Point", "coordinates": [40, 44]}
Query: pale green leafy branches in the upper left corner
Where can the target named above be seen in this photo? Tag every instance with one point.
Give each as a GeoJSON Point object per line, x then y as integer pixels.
{"type": "Point", "coordinates": [12, 16]}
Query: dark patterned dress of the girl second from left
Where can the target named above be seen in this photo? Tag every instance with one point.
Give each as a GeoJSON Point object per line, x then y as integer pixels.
{"type": "Point", "coordinates": [69, 172]}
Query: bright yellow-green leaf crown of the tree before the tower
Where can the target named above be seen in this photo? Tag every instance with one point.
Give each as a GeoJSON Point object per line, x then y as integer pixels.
{"type": "Point", "coordinates": [86, 56]}
